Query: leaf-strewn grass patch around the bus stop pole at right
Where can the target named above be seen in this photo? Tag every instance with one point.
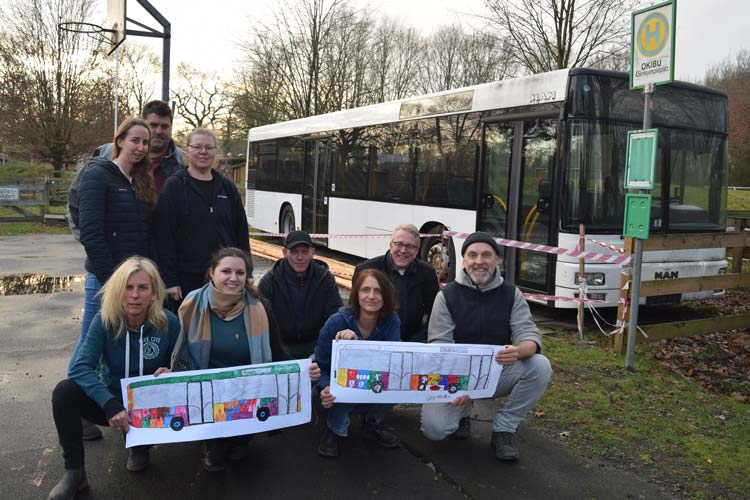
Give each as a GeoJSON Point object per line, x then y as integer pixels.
{"type": "Point", "coordinates": [651, 420]}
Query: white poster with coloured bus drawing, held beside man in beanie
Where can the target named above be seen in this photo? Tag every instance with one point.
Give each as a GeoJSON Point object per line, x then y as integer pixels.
{"type": "Point", "coordinates": [411, 372]}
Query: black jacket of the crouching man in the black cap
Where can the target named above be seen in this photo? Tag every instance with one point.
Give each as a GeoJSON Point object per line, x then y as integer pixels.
{"type": "Point", "coordinates": [321, 299]}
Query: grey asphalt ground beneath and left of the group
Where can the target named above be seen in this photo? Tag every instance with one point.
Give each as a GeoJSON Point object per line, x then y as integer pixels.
{"type": "Point", "coordinates": [38, 333]}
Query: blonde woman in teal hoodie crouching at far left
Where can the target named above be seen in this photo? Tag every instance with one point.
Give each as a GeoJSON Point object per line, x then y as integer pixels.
{"type": "Point", "coordinates": [131, 335]}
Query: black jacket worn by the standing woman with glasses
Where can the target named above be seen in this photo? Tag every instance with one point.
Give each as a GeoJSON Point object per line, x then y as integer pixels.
{"type": "Point", "coordinates": [189, 227]}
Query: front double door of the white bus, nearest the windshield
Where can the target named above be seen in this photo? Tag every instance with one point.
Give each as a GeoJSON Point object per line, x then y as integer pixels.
{"type": "Point", "coordinates": [515, 194]}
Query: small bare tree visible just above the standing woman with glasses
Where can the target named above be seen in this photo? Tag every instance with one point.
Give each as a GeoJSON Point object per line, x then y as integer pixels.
{"type": "Point", "coordinates": [199, 97]}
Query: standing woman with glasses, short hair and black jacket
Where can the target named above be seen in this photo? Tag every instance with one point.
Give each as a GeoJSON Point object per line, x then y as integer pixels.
{"type": "Point", "coordinates": [199, 211]}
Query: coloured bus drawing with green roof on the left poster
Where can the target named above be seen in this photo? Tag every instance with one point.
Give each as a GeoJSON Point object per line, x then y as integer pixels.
{"type": "Point", "coordinates": [243, 393]}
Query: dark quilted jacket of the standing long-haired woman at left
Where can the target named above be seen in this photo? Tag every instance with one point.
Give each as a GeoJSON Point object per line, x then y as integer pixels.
{"type": "Point", "coordinates": [114, 223]}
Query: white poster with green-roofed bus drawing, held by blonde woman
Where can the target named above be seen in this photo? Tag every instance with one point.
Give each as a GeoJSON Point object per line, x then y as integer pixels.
{"type": "Point", "coordinates": [205, 404]}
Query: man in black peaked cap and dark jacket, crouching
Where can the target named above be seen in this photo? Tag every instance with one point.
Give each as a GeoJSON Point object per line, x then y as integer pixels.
{"type": "Point", "coordinates": [302, 292]}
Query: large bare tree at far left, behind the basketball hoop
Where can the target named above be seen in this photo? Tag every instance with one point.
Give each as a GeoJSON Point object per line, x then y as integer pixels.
{"type": "Point", "coordinates": [54, 95]}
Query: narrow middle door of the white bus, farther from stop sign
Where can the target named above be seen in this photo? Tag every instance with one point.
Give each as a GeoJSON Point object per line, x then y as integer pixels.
{"type": "Point", "coordinates": [319, 155]}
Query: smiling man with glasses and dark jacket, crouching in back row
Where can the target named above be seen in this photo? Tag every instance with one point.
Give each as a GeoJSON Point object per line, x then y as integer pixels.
{"type": "Point", "coordinates": [415, 281]}
